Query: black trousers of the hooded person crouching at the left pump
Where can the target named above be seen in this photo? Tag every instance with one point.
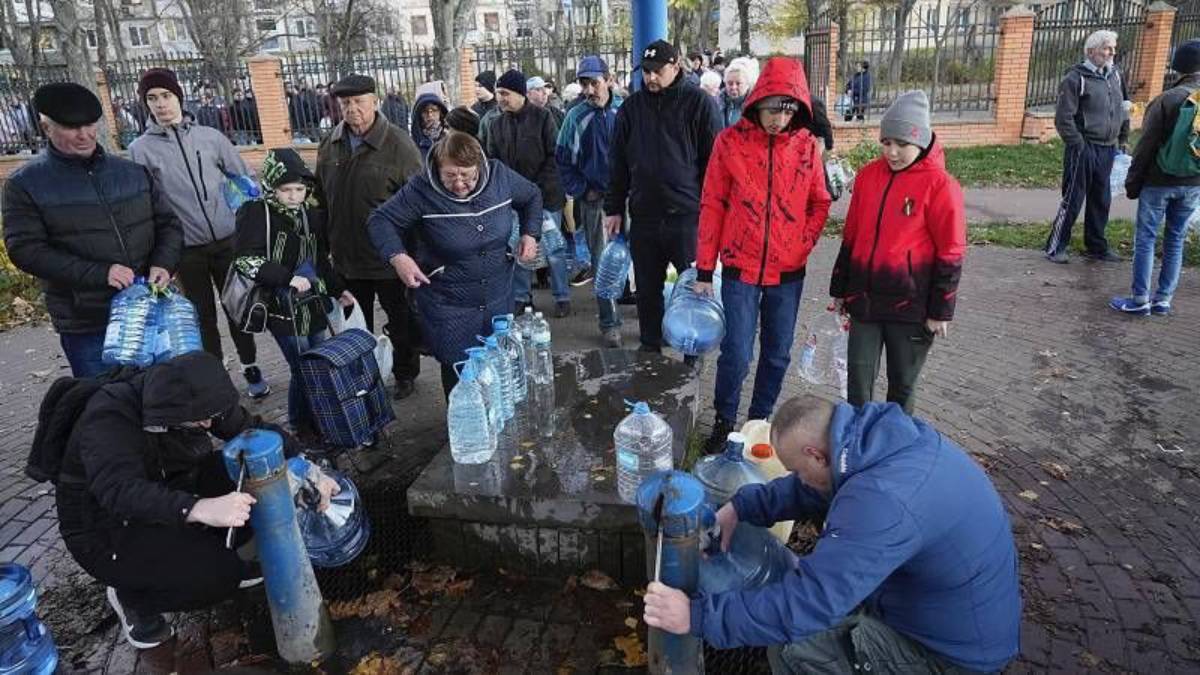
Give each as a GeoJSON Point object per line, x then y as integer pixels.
{"type": "Point", "coordinates": [158, 569]}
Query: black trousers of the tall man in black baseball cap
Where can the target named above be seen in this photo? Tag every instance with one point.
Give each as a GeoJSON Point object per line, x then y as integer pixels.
{"type": "Point", "coordinates": [656, 243]}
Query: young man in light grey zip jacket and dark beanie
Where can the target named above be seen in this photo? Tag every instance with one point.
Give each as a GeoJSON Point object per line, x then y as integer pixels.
{"type": "Point", "coordinates": [191, 162]}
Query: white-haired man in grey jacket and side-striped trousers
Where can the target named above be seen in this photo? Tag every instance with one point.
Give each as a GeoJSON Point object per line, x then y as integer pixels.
{"type": "Point", "coordinates": [1093, 118]}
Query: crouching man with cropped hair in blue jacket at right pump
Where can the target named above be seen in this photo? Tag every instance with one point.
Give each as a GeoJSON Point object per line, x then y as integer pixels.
{"type": "Point", "coordinates": [915, 570]}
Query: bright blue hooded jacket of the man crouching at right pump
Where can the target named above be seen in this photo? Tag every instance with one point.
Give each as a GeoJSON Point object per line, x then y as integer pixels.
{"type": "Point", "coordinates": [915, 530]}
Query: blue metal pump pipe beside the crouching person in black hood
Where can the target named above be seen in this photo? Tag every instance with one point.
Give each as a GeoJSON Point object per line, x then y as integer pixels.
{"type": "Point", "coordinates": [303, 629]}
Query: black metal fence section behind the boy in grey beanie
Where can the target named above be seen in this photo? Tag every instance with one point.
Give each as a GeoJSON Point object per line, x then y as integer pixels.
{"type": "Point", "coordinates": [947, 50]}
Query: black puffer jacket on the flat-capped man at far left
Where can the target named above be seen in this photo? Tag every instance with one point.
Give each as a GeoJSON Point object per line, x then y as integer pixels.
{"type": "Point", "coordinates": [67, 220]}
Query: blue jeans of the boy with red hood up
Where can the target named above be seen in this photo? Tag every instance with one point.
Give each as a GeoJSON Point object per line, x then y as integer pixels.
{"type": "Point", "coordinates": [745, 304]}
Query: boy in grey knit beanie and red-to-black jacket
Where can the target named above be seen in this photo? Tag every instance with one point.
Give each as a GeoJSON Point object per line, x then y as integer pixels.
{"type": "Point", "coordinates": [902, 255]}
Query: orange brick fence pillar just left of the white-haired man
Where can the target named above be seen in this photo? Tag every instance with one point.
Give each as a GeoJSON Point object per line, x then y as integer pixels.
{"type": "Point", "coordinates": [1012, 73]}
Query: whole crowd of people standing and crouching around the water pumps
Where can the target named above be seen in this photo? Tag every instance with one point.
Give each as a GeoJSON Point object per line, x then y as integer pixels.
{"type": "Point", "coordinates": [916, 566]}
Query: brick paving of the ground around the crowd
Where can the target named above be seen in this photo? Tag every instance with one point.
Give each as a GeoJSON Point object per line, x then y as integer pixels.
{"type": "Point", "coordinates": [1087, 422]}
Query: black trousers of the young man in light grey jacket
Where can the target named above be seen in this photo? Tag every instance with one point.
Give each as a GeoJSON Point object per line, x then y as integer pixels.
{"type": "Point", "coordinates": [201, 268]}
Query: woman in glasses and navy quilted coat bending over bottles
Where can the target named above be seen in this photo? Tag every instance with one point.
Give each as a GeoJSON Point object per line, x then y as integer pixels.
{"type": "Point", "coordinates": [461, 213]}
